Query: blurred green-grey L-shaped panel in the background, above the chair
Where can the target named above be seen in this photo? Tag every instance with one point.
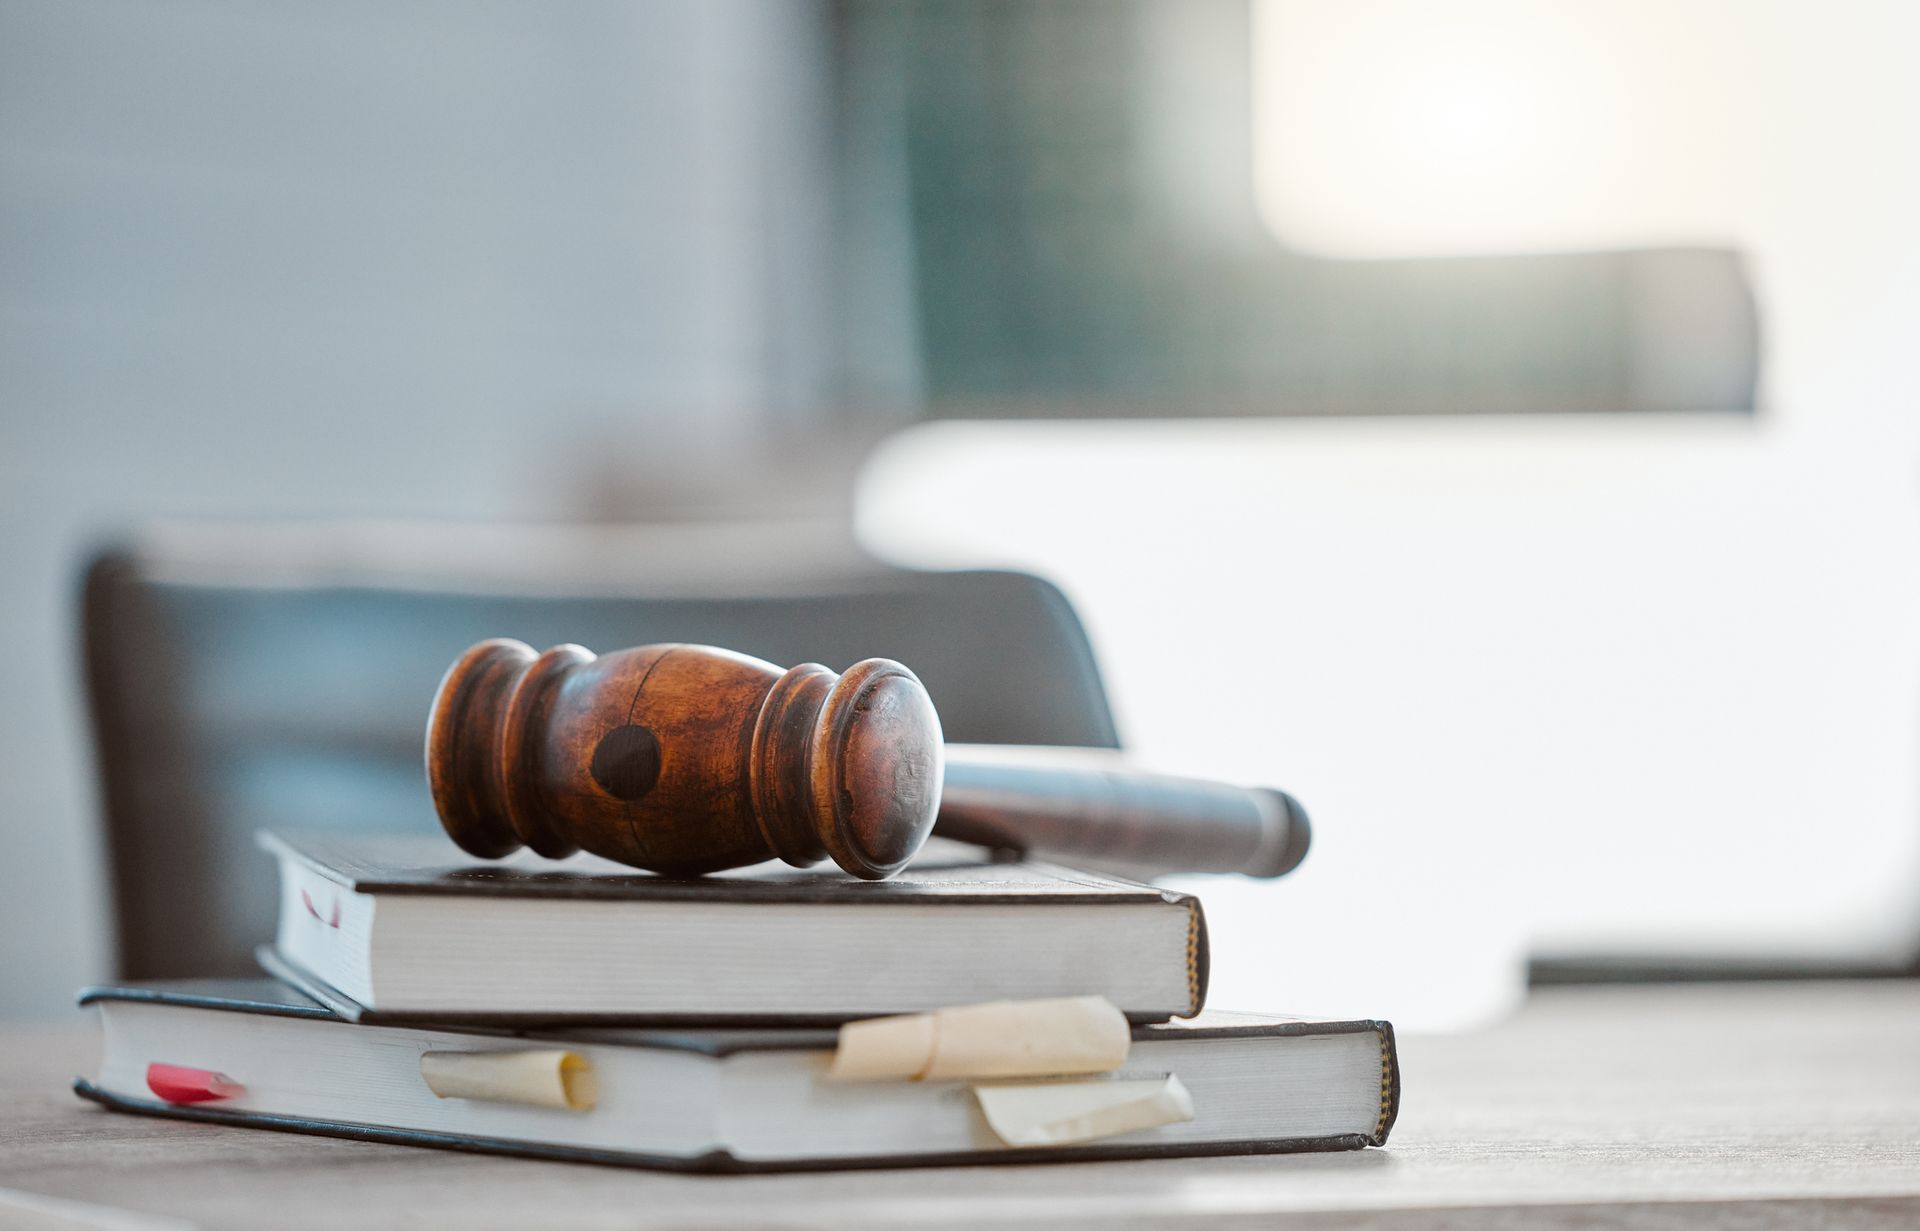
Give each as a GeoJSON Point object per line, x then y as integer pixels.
{"type": "Point", "coordinates": [1055, 272]}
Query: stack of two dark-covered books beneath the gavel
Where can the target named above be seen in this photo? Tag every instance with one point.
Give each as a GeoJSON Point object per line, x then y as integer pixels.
{"type": "Point", "coordinates": [592, 1013]}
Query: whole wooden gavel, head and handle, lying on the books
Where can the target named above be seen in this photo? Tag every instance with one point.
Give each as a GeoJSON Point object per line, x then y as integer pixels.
{"type": "Point", "coordinates": [688, 760]}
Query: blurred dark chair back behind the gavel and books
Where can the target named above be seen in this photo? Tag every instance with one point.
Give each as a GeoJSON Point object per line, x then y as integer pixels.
{"type": "Point", "coordinates": [245, 679]}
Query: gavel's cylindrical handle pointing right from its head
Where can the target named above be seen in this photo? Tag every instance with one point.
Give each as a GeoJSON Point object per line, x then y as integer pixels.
{"type": "Point", "coordinates": [1090, 806]}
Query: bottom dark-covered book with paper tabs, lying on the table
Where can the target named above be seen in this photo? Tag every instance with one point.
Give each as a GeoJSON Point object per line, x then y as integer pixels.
{"type": "Point", "coordinates": [258, 1053]}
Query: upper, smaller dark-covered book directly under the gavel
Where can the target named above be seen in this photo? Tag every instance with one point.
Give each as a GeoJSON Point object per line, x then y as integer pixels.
{"type": "Point", "coordinates": [408, 930]}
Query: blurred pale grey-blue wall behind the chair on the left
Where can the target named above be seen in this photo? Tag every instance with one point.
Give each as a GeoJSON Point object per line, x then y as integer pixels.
{"type": "Point", "coordinates": [429, 260]}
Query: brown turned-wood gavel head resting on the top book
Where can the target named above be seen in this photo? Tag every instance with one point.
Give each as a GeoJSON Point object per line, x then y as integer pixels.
{"type": "Point", "coordinates": [684, 760]}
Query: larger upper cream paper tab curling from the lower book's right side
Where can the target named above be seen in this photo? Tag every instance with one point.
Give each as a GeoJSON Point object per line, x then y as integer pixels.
{"type": "Point", "coordinates": [999, 1040]}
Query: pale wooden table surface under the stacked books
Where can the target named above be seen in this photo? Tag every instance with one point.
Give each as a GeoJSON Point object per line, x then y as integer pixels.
{"type": "Point", "coordinates": [1608, 1107]}
